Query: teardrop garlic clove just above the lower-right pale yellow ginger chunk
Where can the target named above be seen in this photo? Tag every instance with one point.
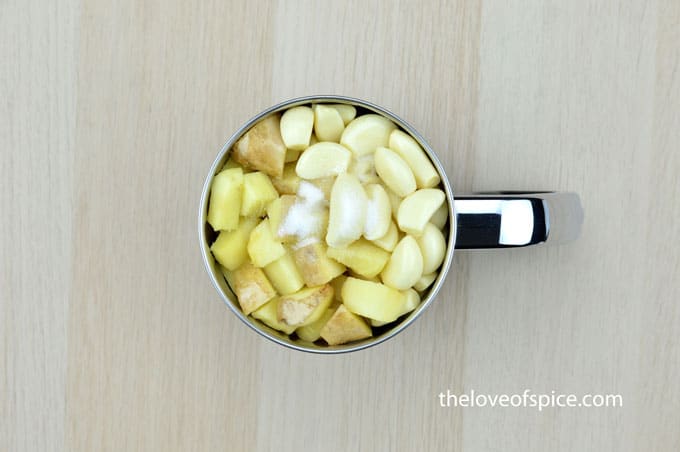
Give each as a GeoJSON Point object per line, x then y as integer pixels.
{"type": "Point", "coordinates": [405, 266]}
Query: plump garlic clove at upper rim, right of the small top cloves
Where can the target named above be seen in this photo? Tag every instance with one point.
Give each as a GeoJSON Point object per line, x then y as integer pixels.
{"type": "Point", "coordinates": [366, 133]}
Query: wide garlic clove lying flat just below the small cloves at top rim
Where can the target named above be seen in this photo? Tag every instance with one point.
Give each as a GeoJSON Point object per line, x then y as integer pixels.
{"type": "Point", "coordinates": [323, 159]}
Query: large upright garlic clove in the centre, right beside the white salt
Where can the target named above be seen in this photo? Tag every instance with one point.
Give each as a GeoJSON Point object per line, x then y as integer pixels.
{"type": "Point", "coordinates": [347, 214]}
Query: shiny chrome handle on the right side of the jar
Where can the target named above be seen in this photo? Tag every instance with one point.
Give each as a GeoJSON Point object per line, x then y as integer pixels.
{"type": "Point", "coordinates": [512, 219]}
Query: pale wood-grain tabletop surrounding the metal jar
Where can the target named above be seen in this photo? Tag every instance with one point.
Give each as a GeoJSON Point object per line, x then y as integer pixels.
{"type": "Point", "coordinates": [111, 336]}
